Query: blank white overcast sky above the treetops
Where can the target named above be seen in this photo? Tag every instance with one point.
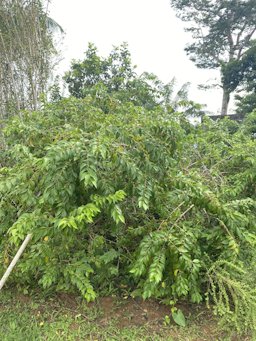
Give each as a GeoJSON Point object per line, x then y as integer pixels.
{"type": "Point", "coordinates": [155, 37]}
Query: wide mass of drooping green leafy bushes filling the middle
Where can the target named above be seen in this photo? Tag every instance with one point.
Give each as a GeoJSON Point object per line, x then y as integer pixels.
{"type": "Point", "coordinates": [134, 200]}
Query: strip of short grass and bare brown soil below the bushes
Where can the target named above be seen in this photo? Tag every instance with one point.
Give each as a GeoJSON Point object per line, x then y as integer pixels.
{"type": "Point", "coordinates": [66, 317]}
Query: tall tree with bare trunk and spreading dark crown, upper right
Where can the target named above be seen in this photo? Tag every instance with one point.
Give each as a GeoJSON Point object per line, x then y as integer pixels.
{"type": "Point", "coordinates": [222, 32]}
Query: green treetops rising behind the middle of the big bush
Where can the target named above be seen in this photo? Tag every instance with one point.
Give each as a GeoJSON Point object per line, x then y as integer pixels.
{"type": "Point", "coordinates": [115, 76]}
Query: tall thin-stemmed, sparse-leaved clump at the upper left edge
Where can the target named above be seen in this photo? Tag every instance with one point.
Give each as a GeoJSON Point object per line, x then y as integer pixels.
{"type": "Point", "coordinates": [26, 54]}
